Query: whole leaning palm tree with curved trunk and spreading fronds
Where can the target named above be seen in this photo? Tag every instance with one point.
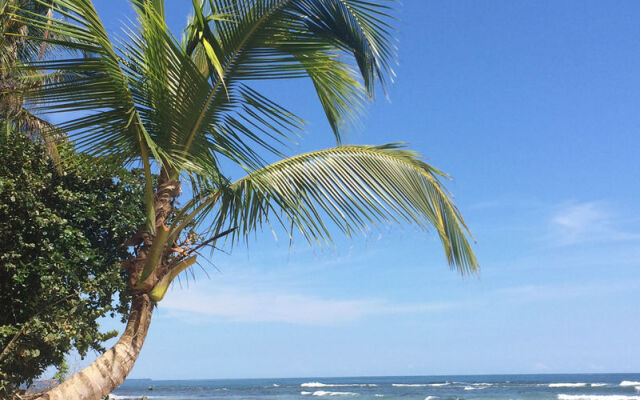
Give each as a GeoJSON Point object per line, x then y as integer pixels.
{"type": "Point", "coordinates": [187, 109]}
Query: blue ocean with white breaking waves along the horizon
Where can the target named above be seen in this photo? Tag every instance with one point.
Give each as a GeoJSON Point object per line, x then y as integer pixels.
{"type": "Point", "coordinates": [495, 387]}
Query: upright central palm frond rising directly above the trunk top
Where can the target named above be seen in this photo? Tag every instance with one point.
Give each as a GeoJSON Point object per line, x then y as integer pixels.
{"type": "Point", "coordinates": [193, 120]}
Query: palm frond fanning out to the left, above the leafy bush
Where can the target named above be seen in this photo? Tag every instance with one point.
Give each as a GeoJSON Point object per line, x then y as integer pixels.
{"type": "Point", "coordinates": [94, 84]}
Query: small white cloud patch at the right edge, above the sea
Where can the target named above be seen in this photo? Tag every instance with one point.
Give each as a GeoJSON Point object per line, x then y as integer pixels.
{"type": "Point", "coordinates": [588, 222]}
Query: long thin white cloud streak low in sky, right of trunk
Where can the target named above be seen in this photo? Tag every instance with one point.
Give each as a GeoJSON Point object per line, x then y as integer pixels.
{"type": "Point", "coordinates": [238, 304]}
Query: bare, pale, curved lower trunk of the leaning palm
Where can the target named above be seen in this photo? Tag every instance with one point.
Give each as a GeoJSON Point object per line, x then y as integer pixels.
{"type": "Point", "coordinates": [109, 370]}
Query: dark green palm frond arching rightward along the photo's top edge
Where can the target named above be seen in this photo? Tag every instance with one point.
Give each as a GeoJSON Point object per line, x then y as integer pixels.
{"type": "Point", "coordinates": [280, 39]}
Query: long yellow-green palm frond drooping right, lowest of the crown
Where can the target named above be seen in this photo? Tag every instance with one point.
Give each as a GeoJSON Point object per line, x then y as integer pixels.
{"type": "Point", "coordinates": [351, 186]}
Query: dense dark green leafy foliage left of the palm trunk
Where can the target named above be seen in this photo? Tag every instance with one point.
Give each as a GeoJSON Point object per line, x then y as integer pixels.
{"type": "Point", "coordinates": [60, 250]}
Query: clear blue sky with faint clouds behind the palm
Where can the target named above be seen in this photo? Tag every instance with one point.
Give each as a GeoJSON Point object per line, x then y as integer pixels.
{"type": "Point", "coordinates": [532, 107]}
